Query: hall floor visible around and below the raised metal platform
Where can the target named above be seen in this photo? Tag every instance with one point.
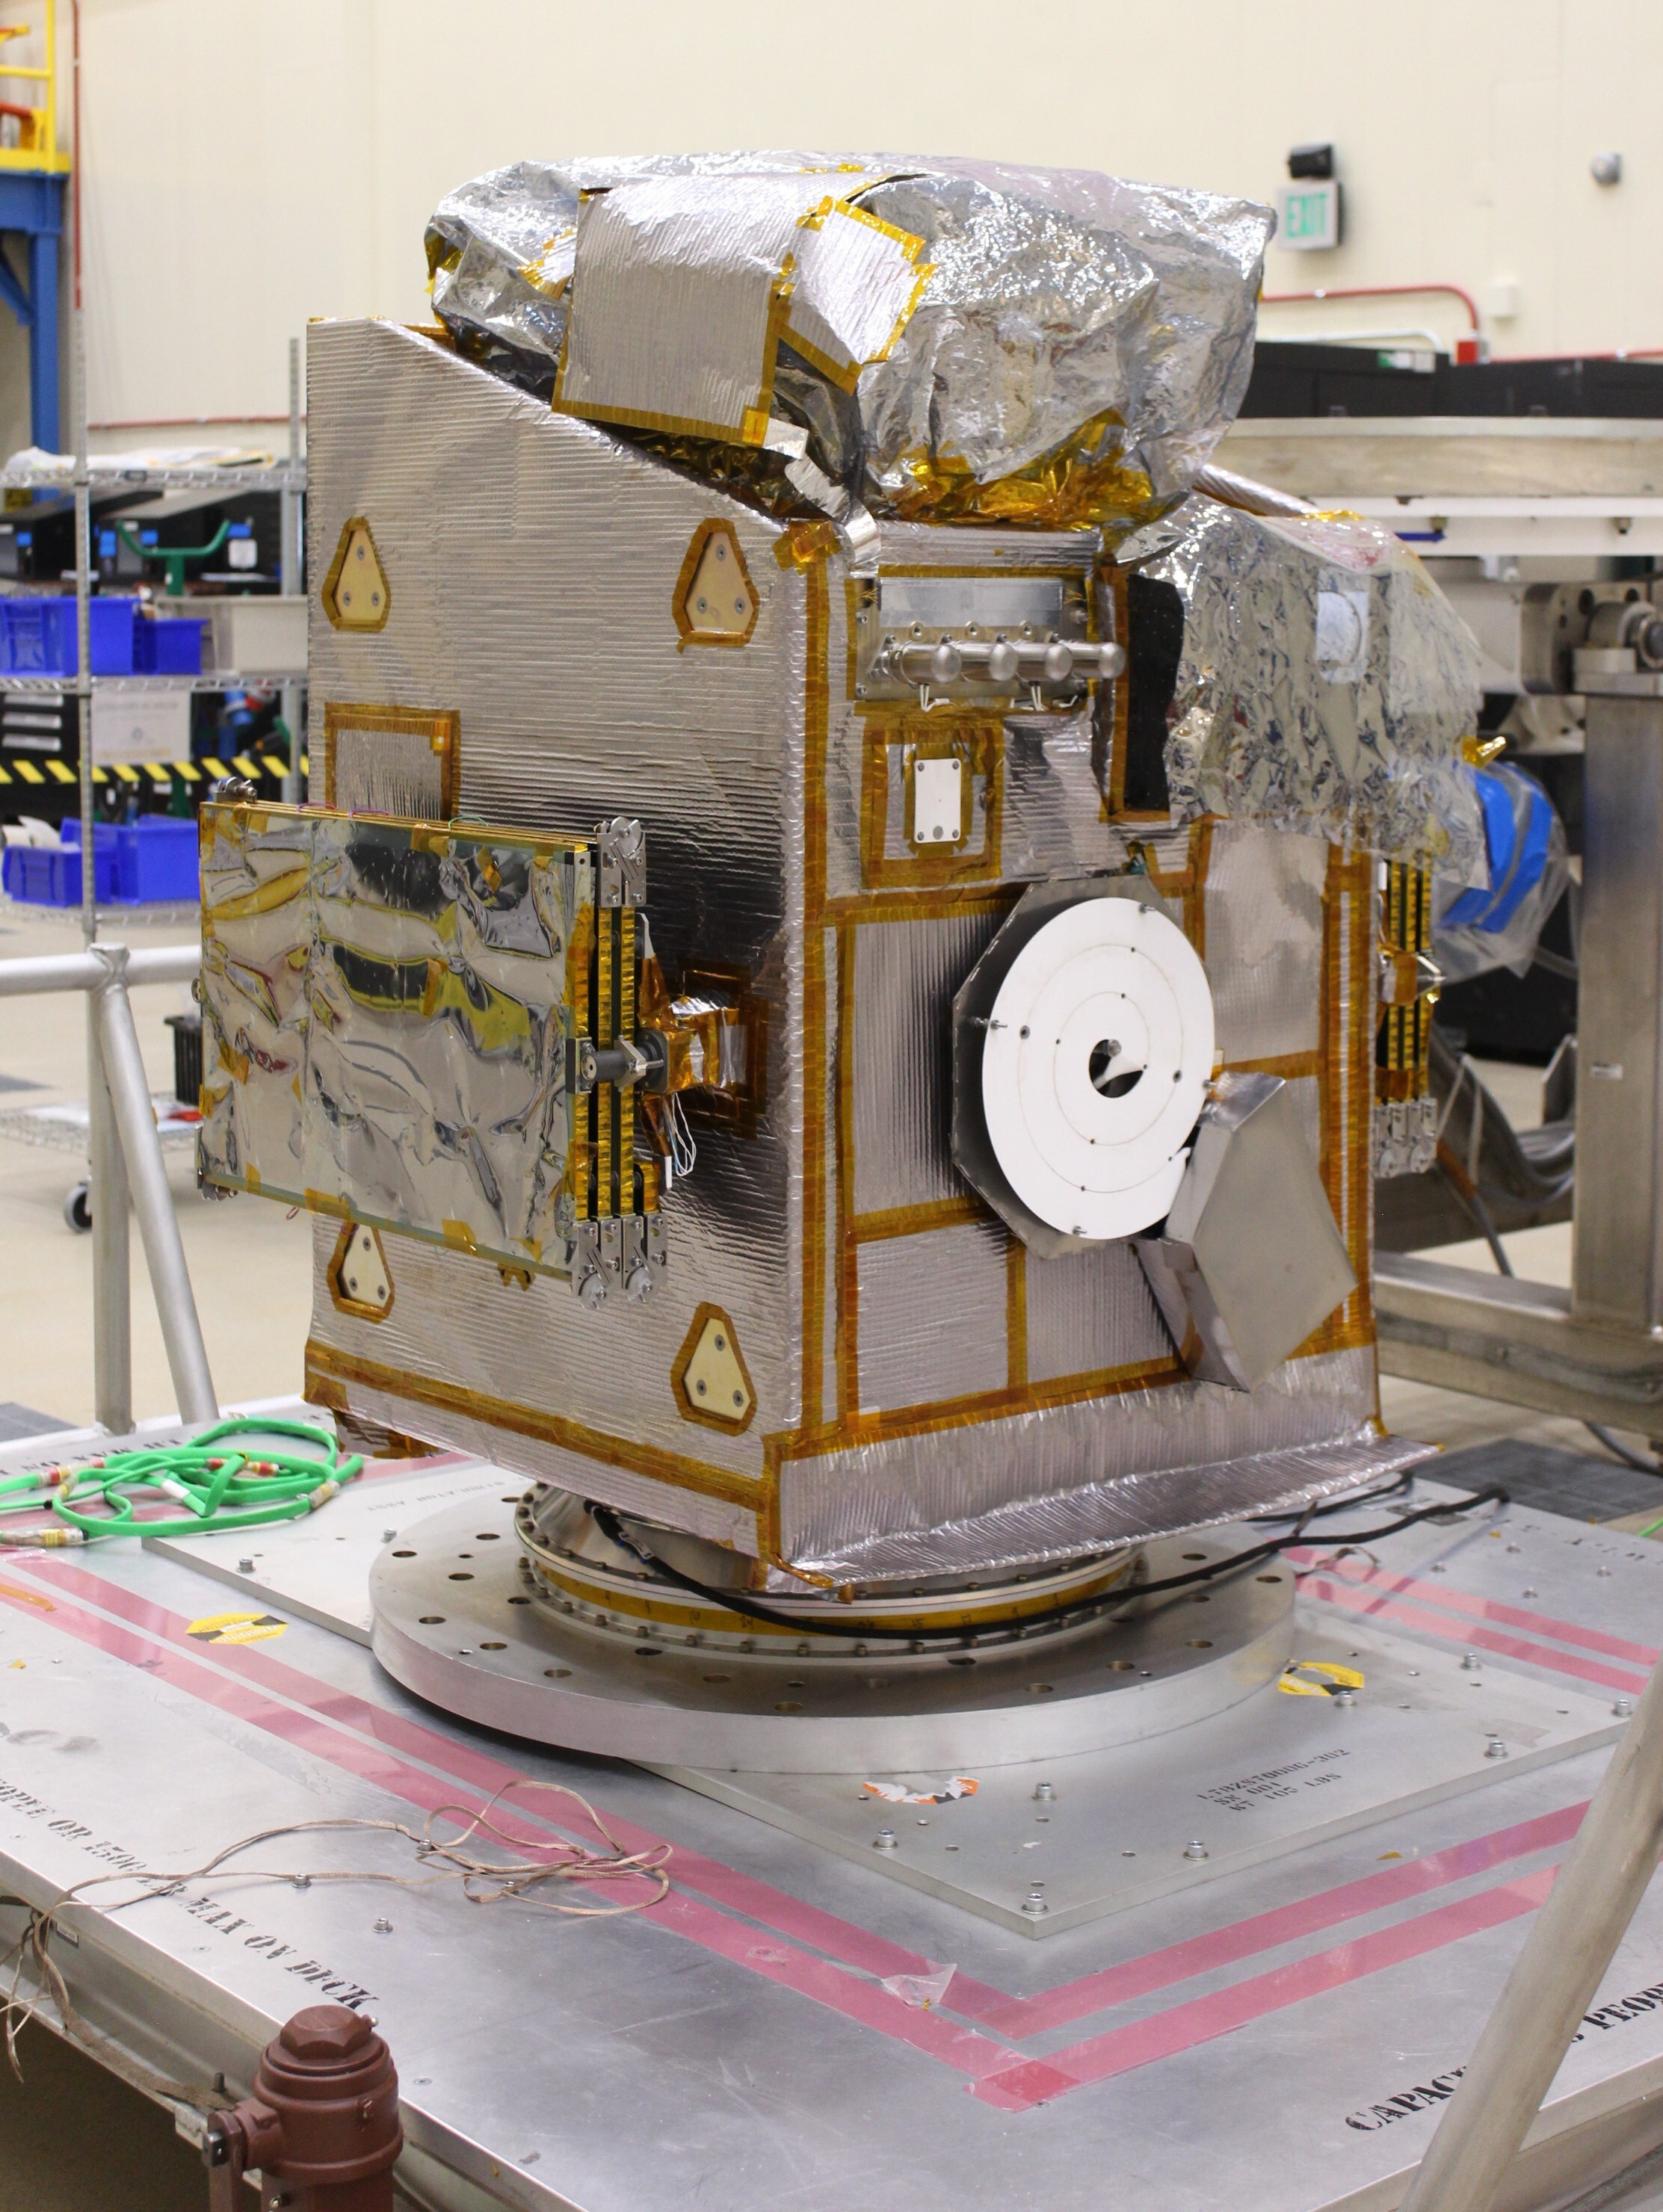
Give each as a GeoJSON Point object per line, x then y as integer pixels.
{"type": "Point", "coordinates": [72, 2138]}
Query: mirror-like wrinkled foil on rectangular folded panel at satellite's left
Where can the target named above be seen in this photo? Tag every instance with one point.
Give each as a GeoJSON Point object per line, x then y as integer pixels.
{"type": "Point", "coordinates": [381, 1021]}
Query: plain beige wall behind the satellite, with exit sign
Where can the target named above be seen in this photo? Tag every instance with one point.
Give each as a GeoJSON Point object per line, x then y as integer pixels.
{"type": "Point", "coordinates": [258, 163]}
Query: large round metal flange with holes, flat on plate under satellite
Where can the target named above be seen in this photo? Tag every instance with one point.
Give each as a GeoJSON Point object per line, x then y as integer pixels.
{"type": "Point", "coordinates": [461, 1620]}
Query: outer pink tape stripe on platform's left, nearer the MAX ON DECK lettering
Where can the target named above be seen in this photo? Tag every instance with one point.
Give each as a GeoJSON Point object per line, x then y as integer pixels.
{"type": "Point", "coordinates": [680, 1914]}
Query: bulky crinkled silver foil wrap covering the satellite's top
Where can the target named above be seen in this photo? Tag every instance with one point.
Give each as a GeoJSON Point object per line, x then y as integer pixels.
{"type": "Point", "coordinates": [1074, 355]}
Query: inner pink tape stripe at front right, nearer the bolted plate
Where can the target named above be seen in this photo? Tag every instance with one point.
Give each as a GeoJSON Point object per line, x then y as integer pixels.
{"type": "Point", "coordinates": [1262, 1932]}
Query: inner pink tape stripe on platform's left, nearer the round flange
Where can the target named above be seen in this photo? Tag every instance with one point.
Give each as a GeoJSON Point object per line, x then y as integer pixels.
{"type": "Point", "coordinates": [788, 1917]}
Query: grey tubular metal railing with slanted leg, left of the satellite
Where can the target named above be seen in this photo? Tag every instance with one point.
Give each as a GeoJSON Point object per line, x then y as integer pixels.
{"type": "Point", "coordinates": [132, 1165]}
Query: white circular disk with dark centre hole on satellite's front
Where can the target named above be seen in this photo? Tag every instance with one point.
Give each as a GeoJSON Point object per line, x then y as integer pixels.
{"type": "Point", "coordinates": [1096, 1067]}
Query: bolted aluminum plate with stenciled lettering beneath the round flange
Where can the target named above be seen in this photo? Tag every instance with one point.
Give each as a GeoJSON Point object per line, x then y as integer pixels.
{"type": "Point", "coordinates": [1144, 1819]}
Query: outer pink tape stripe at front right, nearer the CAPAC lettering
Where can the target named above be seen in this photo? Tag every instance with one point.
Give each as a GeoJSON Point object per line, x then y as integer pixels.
{"type": "Point", "coordinates": [1142, 2043]}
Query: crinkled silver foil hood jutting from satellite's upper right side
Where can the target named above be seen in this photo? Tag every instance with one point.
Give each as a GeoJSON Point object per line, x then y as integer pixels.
{"type": "Point", "coordinates": [1326, 685]}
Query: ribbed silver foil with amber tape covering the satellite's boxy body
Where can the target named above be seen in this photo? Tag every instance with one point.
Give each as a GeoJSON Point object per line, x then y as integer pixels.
{"type": "Point", "coordinates": [912, 1368]}
